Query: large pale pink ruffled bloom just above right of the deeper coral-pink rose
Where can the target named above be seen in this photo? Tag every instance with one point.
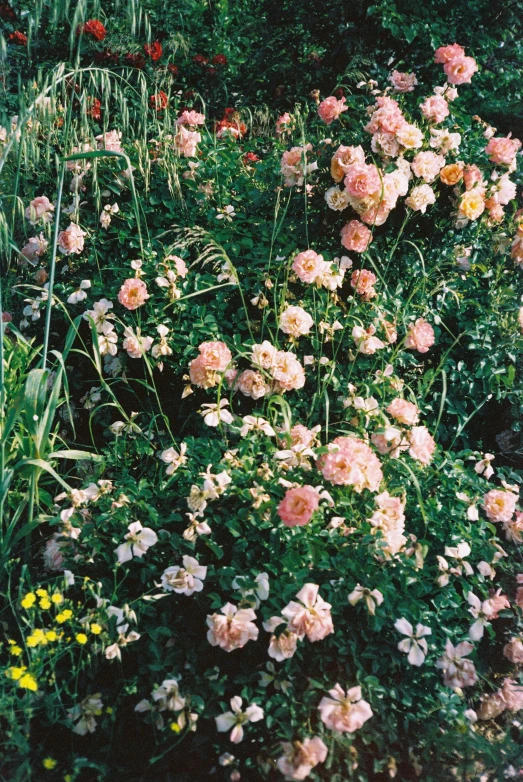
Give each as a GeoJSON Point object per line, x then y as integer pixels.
{"type": "Point", "coordinates": [351, 462]}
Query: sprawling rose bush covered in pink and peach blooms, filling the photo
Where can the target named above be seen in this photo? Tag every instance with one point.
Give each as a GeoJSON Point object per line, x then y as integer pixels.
{"type": "Point", "coordinates": [292, 557]}
